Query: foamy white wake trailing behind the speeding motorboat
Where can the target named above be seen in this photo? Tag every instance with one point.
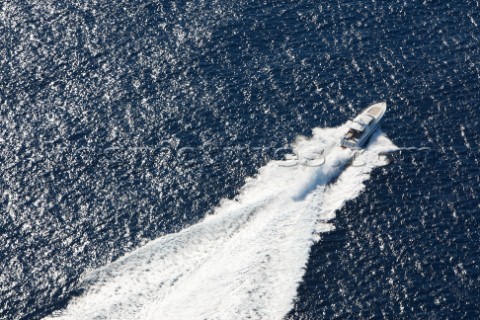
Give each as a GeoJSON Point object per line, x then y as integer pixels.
{"type": "Point", "coordinates": [247, 258]}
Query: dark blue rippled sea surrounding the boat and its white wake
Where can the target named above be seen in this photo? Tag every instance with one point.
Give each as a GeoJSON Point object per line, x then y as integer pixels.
{"type": "Point", "coordinates": [100, 103]}
